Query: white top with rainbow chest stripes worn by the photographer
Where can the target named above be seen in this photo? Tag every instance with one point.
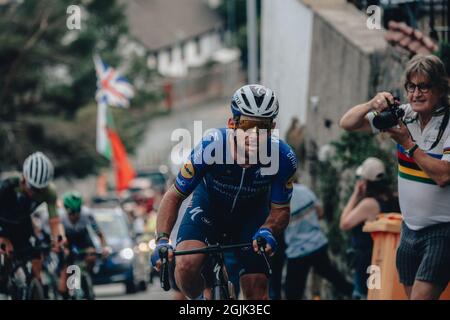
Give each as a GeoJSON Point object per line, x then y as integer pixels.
{"type": "Point", "coordinates": [422, 202]}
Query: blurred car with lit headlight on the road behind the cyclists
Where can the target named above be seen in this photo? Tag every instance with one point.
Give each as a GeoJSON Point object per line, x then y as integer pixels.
{"type": "Point", "coordinates": [126, 264]}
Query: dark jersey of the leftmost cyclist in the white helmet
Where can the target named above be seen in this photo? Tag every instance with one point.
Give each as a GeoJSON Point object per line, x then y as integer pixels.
{"type": "Point", "coordinates": [16, 207]}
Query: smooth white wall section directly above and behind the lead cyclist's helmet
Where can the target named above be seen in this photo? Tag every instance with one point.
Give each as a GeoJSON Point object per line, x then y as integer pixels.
{"type": "Point", "coordinates": [285, 56]}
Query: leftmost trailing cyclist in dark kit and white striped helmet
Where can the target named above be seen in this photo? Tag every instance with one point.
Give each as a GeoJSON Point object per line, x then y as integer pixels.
{"type": "Point", "coordinates": [19, 197]}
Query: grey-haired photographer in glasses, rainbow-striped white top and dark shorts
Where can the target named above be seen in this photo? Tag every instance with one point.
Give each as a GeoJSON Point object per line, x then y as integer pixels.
{"type": "Point", "coordinates": [423, 142]}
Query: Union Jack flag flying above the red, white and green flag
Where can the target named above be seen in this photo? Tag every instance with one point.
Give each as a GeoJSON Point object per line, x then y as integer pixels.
{"type": "Point", "coordinates": [112, 88]}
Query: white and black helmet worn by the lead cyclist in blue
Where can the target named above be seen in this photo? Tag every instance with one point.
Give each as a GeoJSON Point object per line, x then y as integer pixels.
{"type": "Point", "coordinates": [255, 100]}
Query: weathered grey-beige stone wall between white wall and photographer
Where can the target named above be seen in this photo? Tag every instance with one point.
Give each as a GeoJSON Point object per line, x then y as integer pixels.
{"type": "Point", "coordinates": [344, 71]}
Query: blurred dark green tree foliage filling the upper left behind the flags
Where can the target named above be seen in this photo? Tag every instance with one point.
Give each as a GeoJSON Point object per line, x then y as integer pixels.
{"type": "Point", "coordinates": [48, 76]}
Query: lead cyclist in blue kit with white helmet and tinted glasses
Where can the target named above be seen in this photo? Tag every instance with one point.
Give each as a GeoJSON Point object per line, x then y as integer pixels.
{"type": "Point", "coordinates": [237, 194]}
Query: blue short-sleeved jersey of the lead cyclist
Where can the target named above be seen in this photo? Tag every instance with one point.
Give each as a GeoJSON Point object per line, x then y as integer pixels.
{"type": "Point", "coordinates": [230, 185]}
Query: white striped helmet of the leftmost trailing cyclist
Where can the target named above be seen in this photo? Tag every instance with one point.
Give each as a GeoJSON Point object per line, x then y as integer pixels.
{"type": "Point", "coordinates": [38, 170]}
